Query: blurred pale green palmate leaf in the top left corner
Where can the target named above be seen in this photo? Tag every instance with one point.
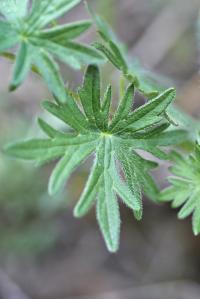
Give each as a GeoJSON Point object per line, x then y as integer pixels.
{"type": "Point", "coordinates": [39, 45]}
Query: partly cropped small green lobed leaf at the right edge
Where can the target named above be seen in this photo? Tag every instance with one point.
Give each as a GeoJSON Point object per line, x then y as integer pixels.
{"type": "Point", "coordinates": [184, 190]}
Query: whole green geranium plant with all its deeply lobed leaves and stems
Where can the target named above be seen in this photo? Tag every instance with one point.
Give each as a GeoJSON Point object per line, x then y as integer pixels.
{"type": "Point", "coordinates": [116, 140]}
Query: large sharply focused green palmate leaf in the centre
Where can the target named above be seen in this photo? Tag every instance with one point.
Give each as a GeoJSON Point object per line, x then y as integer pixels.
{"type": "Point", "coordinates": [113, 140]}
